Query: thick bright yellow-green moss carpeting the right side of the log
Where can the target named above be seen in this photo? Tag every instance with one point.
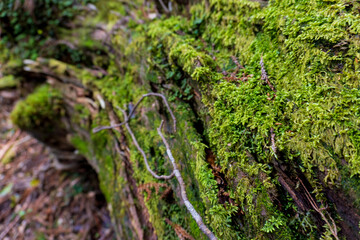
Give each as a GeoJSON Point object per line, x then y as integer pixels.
{"type": "Point", "coordinates": [314, 113]}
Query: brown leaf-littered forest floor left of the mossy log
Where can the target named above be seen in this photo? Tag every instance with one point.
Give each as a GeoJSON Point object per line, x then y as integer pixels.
{"type": "Point", "coordinates": [38, 201]}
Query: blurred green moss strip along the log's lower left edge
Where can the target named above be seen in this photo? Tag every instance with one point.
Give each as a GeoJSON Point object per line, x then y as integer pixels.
{"type": "Point", "coordinates": [100, 151]}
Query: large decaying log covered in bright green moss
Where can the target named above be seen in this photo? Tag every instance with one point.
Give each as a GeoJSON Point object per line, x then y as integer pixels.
{"type": "Point", "coordinates": [266, 97]}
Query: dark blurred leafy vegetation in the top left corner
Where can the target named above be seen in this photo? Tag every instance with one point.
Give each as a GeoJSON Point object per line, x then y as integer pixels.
{"type": "Point", "coordinates": [27, 25]}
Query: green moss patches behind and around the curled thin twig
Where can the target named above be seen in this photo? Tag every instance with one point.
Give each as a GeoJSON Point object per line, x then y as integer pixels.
{"type": "Point", "coordinates": [149, 140]}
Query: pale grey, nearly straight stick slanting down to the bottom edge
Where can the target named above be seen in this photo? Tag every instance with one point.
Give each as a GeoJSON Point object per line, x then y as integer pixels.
{"type": "Point", "coordinates": [178, 176]}
